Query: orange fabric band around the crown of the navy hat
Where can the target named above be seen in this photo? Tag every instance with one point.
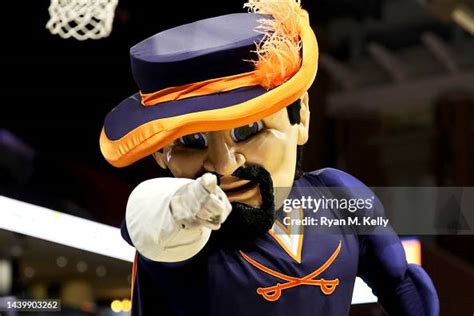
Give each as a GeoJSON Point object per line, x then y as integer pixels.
{"type": "Point", "coordinates": [202, 88]}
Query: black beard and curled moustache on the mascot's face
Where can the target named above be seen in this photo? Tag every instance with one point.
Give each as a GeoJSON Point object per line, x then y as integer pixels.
{"type": "Point", "coordinates": [246, 223]}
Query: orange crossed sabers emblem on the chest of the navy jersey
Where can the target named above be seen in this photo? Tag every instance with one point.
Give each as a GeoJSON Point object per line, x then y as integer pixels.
{"type": "Point", "coordinates": [273, 293]}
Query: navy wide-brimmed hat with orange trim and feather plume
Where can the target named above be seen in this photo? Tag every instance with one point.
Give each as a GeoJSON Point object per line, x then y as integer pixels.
{"type": "Point", "coordinates": [213, 74]}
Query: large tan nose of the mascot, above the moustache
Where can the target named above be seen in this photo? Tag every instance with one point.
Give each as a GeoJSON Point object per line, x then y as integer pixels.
{"type": "Point", "coordinates": [221, 156]}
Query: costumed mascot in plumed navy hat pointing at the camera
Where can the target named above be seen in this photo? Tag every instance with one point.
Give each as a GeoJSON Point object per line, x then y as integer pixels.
{"type": "Point", "coordinates": [223, 105]}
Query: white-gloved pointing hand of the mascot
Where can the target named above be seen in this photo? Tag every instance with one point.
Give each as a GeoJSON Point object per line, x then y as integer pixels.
{"type": "Point", "coordinates": [200, 203]}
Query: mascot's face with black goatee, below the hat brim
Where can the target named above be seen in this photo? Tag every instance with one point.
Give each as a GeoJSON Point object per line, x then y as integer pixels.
{"type": "Point", "coordinates": [252, 162]}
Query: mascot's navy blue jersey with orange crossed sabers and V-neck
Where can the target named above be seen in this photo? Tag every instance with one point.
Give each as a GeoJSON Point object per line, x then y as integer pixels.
{"type": "Point", "coordinates": [266, 278]}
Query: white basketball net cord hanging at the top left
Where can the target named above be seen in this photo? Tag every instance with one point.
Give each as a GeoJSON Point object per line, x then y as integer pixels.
{"type": "Point", "coordinates": [81, 19]}
